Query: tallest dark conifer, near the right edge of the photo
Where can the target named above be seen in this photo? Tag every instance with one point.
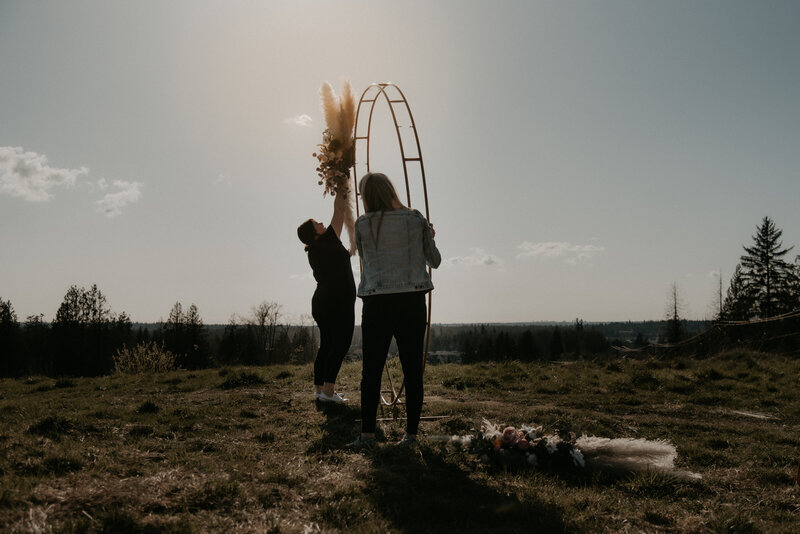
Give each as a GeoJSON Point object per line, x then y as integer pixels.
{"type": "Point", "coordinates": [765, 276]}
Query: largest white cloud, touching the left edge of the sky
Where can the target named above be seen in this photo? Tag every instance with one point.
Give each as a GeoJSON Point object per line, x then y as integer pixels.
{"type": "Point", "coordinates": [27, 175]}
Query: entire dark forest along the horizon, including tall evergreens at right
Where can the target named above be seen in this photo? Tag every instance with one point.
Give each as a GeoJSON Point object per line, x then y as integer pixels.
{"type": "Point", "coordinates": [760, 310]}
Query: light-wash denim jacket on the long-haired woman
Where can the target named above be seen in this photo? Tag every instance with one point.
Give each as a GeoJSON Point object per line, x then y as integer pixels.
{"type": "Point", "coordinates": [395, 252]}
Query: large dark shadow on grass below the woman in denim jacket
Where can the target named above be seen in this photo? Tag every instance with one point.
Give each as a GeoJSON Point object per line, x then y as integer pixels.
{"type": "Point", "coordinates": [419, 490]}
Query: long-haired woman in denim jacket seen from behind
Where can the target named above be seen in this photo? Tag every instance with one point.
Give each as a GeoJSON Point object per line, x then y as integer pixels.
{"type": "Point", "coordinates": [396, 246]}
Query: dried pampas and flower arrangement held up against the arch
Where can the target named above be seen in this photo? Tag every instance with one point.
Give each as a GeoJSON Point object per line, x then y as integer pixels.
{"type": "Point", "coordinates": [336, 153]}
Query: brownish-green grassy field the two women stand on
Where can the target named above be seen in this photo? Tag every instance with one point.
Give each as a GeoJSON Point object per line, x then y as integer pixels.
{"type": "Point", "coordinates": [247, 450]}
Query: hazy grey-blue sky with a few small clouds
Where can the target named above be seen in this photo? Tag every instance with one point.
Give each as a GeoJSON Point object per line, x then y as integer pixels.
{"type": "Point", "coordinates": [581, 157]}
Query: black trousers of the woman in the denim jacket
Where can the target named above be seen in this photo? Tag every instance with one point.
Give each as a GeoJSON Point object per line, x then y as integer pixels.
{"type": "Point", "coordinates": [404, 317]}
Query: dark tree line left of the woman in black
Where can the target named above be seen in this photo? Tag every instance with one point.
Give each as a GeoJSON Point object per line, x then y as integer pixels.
{"type": "Point", "coordinates": [86, 336]}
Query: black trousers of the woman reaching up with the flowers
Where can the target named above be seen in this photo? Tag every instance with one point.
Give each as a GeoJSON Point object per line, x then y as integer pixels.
{"type": "Point", "coordinates": [336, 325]}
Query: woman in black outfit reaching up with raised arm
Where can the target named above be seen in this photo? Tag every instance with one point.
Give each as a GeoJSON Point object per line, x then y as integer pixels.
{"type": "Point", "coordinates": [333, 303]}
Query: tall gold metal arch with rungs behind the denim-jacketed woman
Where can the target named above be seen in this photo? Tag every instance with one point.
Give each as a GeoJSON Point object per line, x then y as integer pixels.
{"type": "Point", "coordinates": [393, 96]}
